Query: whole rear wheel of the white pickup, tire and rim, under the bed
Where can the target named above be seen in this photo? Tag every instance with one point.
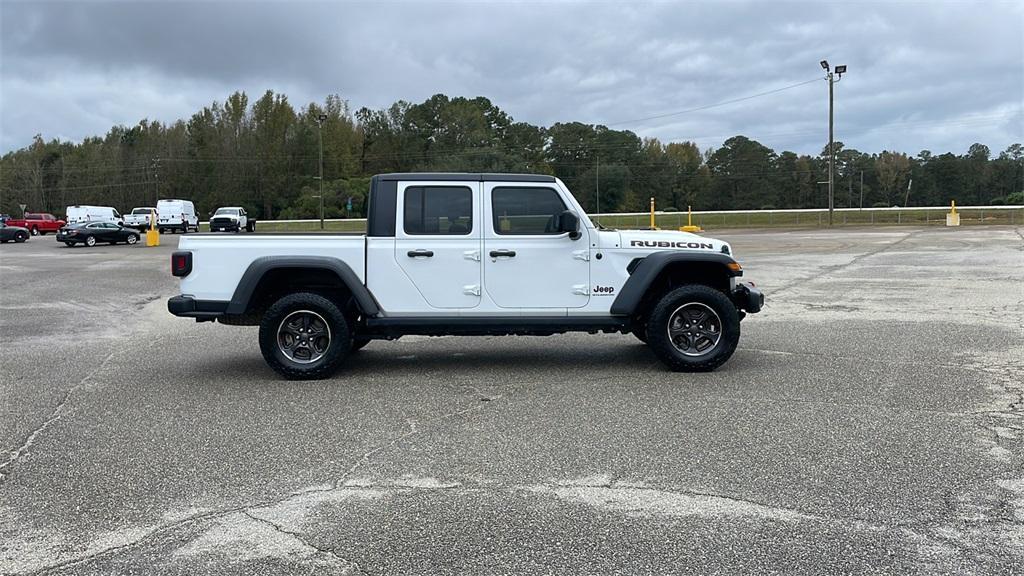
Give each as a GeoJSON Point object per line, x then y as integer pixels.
{"type": "Point", "coordinates": [305, 337]}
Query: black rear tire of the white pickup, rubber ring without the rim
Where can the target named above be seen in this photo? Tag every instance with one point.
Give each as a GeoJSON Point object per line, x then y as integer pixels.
{"type": "Point", "coordinates": [338, 349]}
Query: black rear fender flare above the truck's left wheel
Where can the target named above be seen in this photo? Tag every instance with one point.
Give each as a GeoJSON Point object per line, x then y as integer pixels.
{"type": "Point", "coordinates": [260, 268]}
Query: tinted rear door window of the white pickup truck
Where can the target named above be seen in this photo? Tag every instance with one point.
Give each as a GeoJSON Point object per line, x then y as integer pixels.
{"type": "Point", "coordinates": [439, 211]}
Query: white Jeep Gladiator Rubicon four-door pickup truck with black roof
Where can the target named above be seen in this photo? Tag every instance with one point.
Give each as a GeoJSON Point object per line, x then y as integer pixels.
{"type": "Point", "coordinates": [466, 255]}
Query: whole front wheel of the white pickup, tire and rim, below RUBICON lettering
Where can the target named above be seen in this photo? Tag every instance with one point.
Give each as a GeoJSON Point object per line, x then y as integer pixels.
{"type": "Point", "coordinates": [694, 328]}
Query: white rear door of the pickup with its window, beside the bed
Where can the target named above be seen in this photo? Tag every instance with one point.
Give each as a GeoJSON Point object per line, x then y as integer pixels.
{"type": "Point", "coordinates": [439, 240]}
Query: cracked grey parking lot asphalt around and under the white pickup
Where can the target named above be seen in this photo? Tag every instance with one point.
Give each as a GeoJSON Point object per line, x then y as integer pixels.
{"type": "Point", "coordinates": [871, 422]}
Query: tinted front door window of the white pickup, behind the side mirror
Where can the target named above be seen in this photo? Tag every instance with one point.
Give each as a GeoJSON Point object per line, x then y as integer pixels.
{"type": "Point", "coordinates": [526, 211]}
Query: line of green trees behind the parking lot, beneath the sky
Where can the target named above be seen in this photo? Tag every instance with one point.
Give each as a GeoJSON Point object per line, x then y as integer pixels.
{"type": "Point", "coordinates": [266, 156]}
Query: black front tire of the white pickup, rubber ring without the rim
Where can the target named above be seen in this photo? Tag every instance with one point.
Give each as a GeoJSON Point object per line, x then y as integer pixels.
{"type": "Point", "coordinates": [658, 328]}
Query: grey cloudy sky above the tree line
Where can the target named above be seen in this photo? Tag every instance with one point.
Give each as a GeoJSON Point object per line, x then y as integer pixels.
{"type": "Point", "coordinates": [923, 75]}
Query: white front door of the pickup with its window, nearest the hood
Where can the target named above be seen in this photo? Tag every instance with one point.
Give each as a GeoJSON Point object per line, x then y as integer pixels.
{"type": "Point", "coordinates": [528, 263]}
